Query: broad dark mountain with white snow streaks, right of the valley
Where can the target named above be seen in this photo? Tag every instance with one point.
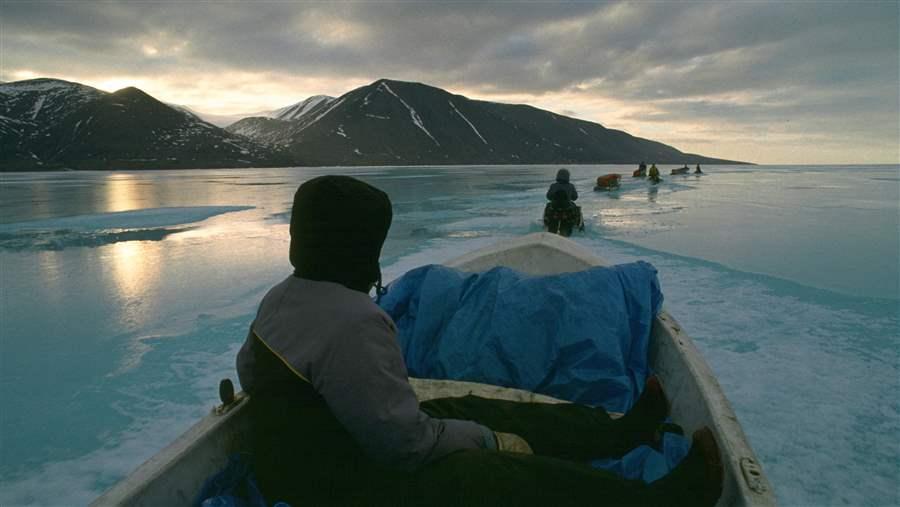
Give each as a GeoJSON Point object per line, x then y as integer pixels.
{"type": "Point", "coordinates": [396, 123]}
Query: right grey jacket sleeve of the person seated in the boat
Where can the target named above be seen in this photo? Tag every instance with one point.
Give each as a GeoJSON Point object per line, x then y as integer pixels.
{"type": "Point", "coordinates": [363, 380]}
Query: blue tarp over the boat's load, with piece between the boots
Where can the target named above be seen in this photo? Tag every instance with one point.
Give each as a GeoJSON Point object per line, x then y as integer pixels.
{"type": "Point", "coordinates": [581, 337]}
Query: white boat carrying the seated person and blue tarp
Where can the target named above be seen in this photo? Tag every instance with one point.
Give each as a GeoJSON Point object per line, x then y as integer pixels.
{"type": "Point", "coordinates": [175, 475]}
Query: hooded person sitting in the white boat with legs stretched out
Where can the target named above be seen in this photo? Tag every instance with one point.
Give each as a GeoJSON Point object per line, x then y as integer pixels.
{"type": "Point", "coordinates": [334, 420]}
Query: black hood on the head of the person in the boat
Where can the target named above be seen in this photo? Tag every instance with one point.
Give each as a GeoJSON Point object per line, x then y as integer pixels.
{"type": "Point", "coordinates": [338, 226]}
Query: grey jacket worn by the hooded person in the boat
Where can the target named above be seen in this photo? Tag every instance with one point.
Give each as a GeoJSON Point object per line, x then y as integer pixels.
{"type": "Point", "coordinates": [345, 346]}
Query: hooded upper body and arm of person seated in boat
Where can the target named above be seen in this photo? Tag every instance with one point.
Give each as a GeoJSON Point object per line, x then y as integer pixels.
{"type": "Point", "coordinates": [331, 397]}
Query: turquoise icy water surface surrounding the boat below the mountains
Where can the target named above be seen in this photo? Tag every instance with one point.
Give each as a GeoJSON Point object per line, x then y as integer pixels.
{"type": "Point", "coordinates": [125, 296]}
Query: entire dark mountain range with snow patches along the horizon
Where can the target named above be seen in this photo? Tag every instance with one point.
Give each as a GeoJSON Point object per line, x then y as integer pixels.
{"type": "Point", "coordinates": [46, 123]}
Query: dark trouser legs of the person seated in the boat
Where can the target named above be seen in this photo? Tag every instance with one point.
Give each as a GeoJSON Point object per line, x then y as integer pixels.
{"type": "Point", "coordinates": [563, 436]}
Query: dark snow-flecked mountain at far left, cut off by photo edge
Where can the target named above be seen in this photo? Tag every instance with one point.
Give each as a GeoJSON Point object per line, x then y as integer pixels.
{"type": "Point", "coordinates": [48, 123]}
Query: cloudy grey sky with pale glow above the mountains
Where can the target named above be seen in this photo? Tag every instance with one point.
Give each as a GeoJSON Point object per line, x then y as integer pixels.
{"type": "Point", "coordinates": [769, 82]}
